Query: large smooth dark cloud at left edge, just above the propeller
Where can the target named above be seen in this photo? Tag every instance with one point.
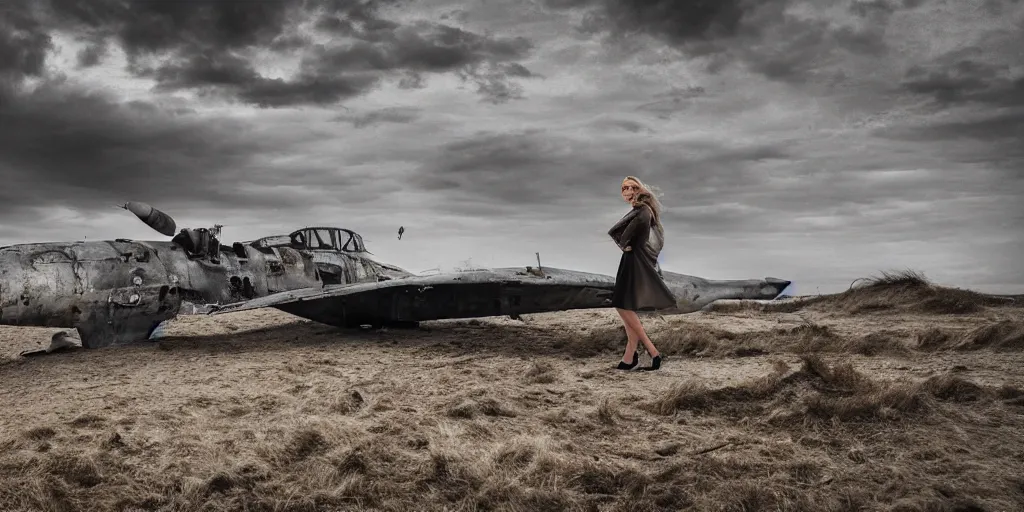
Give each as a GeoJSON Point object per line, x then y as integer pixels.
{"type": "Point", "coordinates": [91, 151]}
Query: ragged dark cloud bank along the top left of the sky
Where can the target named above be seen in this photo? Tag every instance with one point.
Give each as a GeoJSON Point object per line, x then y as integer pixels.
{"type": "Point", "coordinates": [211, 48]}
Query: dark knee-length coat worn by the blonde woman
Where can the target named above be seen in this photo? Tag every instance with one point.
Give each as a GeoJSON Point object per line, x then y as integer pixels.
{"type": "Point", "coordinates": [639, 286]}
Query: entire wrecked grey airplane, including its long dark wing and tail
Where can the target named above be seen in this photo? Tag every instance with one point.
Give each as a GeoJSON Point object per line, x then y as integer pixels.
{"type": "Point", "coordinates": [117, 292]}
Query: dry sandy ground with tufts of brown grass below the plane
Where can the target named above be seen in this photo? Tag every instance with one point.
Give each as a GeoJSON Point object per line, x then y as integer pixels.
{"type": "Point", "coordinates": [808, 410]}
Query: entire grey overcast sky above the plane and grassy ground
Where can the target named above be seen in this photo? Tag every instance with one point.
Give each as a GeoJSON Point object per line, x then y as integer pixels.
{"type": "Point", "coordinates": [814, 141]}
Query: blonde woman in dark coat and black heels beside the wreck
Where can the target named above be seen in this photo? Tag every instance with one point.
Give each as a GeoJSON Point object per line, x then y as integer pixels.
{"type": "Point", "coordinates": [638, 283]}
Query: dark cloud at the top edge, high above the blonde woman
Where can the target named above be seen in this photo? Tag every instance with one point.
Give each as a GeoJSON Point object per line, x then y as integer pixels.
{"type": "Point", "coordinates": [785, 40]}
